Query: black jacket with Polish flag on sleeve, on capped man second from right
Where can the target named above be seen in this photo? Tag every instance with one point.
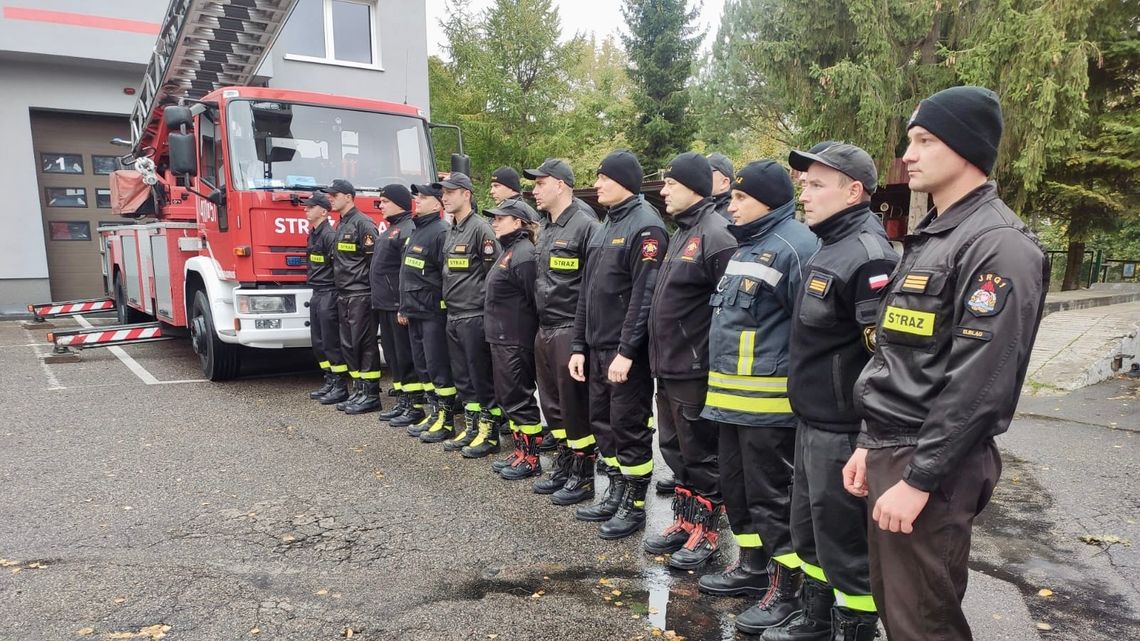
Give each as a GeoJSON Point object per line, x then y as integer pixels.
{"type": "Point", "coordinates": [834, 321]}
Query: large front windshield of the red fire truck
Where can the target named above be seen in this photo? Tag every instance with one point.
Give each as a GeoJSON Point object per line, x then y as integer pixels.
{"type": "Point", "coordinates": [283, 145]}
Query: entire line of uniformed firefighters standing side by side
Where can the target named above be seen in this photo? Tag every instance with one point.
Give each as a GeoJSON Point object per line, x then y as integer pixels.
{"type": "Point", "coordinates": [804, 371]}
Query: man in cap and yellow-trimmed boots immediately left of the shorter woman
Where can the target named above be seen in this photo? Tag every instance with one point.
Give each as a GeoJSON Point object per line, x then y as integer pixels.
{"type": "Point", "coordinates": [470, 251]}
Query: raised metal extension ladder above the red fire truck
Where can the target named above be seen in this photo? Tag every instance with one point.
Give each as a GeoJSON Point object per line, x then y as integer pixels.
{"type": "Point", "coordinates": [205, 45]}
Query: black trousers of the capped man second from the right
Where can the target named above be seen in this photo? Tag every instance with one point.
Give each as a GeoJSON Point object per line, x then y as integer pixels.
{"type": "Point", "coordinates": [828, 524]}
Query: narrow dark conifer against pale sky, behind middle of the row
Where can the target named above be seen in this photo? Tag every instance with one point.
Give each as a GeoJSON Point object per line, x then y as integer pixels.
{"type": "Point", "coordinates": [663, 51]}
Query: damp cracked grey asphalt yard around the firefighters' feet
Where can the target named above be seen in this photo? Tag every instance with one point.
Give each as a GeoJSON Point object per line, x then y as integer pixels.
{"type": "Point", "coordinates": [242, 510]}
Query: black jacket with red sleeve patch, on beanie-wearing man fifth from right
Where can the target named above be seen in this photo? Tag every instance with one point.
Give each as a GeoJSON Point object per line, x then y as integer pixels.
{"type": "Point", "coordinates": [622, 264]}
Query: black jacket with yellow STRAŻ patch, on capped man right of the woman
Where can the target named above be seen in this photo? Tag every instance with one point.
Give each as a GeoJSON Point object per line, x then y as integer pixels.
{"type": "Point", "coordinates": [561, 251]}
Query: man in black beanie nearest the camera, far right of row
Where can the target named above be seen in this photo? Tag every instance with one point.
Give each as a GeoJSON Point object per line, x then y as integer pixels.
{"type": "Point", "coordinates": [956, 329]}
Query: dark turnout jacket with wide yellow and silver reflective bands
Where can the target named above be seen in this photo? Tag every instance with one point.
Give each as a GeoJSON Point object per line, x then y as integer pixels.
{"type": "Point", "coordinates": [752, 321]}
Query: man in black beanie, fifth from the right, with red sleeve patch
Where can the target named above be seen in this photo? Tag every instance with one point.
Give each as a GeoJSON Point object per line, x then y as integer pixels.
{"type": "Point", "coordinates": [612, 329]}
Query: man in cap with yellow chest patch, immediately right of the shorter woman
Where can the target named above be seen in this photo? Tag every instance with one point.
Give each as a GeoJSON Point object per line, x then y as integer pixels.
{"type": "Point", "coordinates": [568, 226]}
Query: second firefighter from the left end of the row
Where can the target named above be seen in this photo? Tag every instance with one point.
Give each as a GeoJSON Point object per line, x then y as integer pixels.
{"type": "Point", "coordinates": [356, 239]}
